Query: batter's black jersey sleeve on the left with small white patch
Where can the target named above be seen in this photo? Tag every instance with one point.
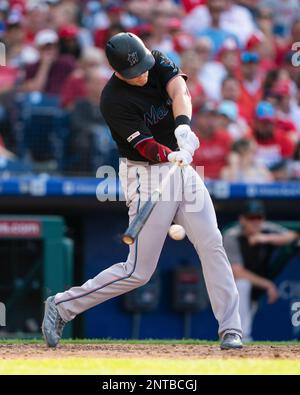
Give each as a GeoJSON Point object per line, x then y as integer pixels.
{"type": "Point", "coordinates": [125, 124]}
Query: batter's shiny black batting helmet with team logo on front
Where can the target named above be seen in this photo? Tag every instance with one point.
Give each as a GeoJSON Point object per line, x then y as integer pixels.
{"type": "Point", "coordinates": [128, 55]}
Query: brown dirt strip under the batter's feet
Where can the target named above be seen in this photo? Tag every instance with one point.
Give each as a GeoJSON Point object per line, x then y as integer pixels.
{"type": "Point", "coordinates": [170, 351]}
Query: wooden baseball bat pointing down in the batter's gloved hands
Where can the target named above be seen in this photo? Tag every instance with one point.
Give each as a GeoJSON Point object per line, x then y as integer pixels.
{"type": "Point", "coordinates": [142, 216]}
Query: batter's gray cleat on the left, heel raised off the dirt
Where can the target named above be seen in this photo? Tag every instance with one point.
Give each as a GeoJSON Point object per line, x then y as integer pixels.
{"type": "Point", "coordinates": [53, 324]}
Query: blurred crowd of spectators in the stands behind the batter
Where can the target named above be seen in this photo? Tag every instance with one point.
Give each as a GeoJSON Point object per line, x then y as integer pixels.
{"type": "Point", "coordinates": [242, 59]}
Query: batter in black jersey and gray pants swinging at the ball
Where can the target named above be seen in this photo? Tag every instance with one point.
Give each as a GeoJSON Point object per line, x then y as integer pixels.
{"type": "Point", "coordinates": [147, 107]}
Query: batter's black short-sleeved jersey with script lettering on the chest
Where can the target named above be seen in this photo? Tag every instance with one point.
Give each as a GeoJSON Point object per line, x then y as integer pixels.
{"type": "Point", "coordinates": [135, 113]}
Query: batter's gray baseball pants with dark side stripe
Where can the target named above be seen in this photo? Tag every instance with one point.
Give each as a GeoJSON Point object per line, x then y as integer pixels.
{"type": "Point", "coordinates": [186, 202]}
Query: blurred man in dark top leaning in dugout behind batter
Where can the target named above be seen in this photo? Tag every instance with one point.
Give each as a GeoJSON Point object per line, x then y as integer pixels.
{"type": "Point", "coordinates": [250, 246]}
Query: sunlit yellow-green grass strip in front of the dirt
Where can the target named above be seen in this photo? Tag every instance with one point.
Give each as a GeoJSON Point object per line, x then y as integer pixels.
{"type": "Point", "coordinates": [108, 366]}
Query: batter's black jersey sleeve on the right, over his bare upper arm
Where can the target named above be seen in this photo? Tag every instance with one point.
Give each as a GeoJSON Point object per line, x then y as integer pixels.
{"type": "Point", "coordinates": [165, 68]}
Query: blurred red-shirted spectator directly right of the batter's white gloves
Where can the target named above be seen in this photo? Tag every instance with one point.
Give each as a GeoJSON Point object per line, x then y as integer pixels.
{"type": "Point", "coordinates": [215, 144]}
